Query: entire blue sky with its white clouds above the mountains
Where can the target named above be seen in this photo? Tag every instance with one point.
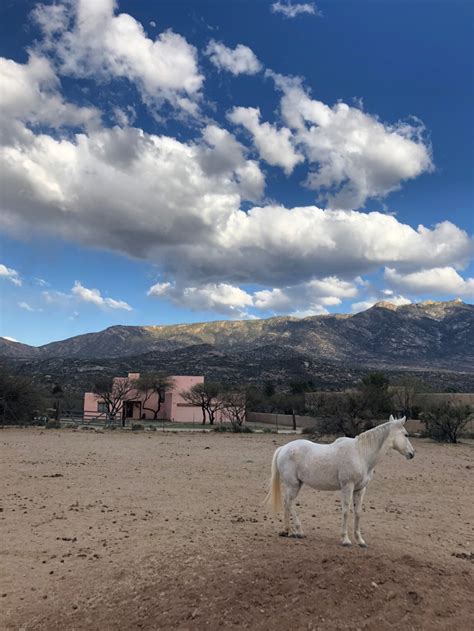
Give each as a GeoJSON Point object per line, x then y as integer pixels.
{"type": "Point", "coordinates": [196, 160]}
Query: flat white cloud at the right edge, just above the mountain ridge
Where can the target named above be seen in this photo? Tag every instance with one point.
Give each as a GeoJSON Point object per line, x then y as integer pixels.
{"type": "Point", "coordinates": [438, 280]}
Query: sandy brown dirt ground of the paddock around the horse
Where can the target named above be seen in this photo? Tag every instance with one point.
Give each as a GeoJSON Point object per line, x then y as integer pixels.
{"type": "Point", "coordinates": [151, 530]}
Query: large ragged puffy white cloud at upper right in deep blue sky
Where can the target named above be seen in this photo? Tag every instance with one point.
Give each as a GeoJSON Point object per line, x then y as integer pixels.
{"type": "Point", "coordinates": [354, 155]}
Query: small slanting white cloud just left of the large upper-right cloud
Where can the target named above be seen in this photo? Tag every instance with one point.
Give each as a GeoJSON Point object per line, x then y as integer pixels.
{"type": "Point", "coordinates": [274, 145]}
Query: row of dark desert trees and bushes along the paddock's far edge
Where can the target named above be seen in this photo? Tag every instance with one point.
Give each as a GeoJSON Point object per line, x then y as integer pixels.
{"type": "Point", "coordinates": [348, 413]}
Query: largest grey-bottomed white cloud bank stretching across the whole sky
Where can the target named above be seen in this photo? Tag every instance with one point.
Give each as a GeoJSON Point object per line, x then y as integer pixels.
{"type": "Point", "coordinates": [179, 204]}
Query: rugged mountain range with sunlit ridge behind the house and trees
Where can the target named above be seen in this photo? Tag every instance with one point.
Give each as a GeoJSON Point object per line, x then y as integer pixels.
{"type": "Point", "coordinates": [432, 338]}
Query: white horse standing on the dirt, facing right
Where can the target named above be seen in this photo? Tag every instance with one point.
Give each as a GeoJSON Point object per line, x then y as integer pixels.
{"type": "Point", "coordinates": [347, 465]}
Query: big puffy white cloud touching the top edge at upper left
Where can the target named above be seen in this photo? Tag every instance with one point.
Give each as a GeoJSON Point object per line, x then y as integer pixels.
{"type": "Point", "coordinates": [89, 39]}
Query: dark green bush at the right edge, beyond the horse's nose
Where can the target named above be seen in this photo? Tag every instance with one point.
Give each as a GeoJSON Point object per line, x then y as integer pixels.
{"type": "Point", "coordinates": [446, 421]}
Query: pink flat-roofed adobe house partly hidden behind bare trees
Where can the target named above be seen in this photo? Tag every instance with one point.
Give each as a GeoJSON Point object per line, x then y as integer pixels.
{"type": "Point", "coordinates": [173, 408]}
